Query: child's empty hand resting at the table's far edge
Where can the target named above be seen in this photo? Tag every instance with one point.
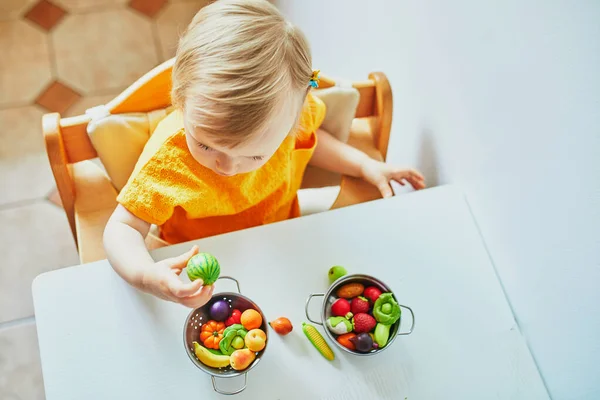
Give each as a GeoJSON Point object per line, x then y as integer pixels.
{"type": "Point", "coordinates": [380, 174]}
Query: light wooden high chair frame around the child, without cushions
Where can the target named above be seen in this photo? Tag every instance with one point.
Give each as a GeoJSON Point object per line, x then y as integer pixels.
{"type": "Point", "coordinates": [89, 197]}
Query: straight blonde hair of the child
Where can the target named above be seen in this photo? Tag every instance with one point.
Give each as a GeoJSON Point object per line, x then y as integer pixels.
{"type": "Point", "coordinates": [233, 63]}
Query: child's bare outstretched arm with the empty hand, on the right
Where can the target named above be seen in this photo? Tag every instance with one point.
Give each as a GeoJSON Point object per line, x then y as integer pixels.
{"type": "Point", "coordinates": [336, 156]}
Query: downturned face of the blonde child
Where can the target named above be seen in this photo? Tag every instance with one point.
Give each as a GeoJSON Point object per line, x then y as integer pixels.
{"type": "Point", "coordinates": [252, 154]}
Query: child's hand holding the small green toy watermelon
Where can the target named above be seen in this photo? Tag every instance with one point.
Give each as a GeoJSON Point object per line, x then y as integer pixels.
{"type": "Point", "coordinates": [162, 280]}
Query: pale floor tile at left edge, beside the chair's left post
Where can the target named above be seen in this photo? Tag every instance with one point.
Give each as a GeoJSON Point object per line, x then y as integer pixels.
{"type": "Point", "coordinates": [24, 166]}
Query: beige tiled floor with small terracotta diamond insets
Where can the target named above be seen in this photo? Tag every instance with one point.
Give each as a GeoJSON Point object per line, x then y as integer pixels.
{"type": "Point", "coordinates": [61, 56]}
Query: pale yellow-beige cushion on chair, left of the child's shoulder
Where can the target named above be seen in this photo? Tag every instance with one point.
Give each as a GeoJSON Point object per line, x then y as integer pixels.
{"type": "Point", "coordinates": [119, 140]}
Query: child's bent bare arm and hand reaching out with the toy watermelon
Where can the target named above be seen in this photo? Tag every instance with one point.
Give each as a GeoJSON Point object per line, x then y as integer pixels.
{"type": "Point", "coordinates": [126, 251]}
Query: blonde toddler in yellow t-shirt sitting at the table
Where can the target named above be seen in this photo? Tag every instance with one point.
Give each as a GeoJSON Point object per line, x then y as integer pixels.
{"type": "Point", "coordinates": [233, 153]}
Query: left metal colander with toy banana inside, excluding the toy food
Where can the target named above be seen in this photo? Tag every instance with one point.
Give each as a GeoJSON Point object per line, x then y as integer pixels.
{"type": "Point", "coordinates": [199, 316]}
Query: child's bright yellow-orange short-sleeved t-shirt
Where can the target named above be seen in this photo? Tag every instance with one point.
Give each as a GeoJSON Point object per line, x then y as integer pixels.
{"type": "Point", "coordinates": [188, 201]}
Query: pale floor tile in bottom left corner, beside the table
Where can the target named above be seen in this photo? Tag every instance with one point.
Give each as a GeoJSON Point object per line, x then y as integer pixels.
{"type": "Point", "coordinates": [20, 369]}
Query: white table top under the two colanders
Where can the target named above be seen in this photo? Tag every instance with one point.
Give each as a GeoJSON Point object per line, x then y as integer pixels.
{"type": "Point", "coordinates": [101, 339]}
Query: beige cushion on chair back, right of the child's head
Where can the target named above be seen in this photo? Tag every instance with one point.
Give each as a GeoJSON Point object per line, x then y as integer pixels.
{"type": "Point", "coordinates": [341, 103]}
